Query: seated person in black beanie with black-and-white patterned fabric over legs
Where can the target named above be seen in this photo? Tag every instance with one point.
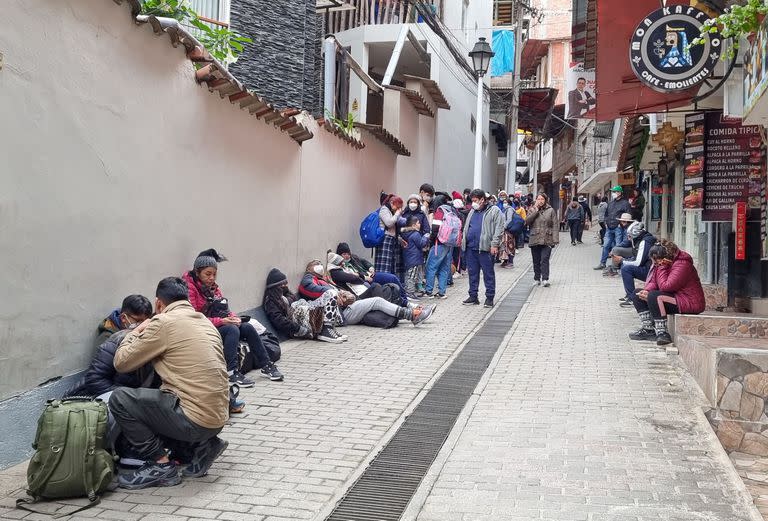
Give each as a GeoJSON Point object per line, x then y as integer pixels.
{"type": "Point", "coordinates": [298, 318]}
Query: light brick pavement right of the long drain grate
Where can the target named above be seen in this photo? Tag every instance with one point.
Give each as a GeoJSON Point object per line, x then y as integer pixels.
{"type": "Point", "coordinates": [576, 422]}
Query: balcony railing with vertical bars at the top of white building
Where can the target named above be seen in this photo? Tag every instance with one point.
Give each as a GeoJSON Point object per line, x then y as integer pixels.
{"type": "Point", "coordinates": [379, 12]}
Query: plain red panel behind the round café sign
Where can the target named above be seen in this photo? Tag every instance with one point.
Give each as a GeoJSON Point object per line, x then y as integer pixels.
{"type": "Point", "coordinates": [620, 93]}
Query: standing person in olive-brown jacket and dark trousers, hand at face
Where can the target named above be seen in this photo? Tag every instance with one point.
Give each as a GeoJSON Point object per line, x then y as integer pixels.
{"type": "Point", "coordinates": [545, 235]}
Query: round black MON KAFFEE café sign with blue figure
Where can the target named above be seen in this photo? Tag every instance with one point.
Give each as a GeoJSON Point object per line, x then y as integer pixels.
{"type": "Point", "coordinates": [661, 53]}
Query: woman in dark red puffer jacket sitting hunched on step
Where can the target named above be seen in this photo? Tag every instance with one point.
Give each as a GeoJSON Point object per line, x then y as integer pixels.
{"type": "Point", "coordinates": [672, 287]}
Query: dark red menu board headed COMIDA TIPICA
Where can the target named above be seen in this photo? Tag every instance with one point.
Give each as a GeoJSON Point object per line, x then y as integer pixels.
{"type": "Point", "coordinates": [734, 167]}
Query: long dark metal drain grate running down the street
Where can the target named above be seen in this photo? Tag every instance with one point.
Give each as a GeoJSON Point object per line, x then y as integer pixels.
{"type": "Point", "coordinates": [385, 488]}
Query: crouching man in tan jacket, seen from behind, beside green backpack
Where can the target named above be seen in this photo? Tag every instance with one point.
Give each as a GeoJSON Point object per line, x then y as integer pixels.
{"type": "Point", "coordinates": [191, 405]}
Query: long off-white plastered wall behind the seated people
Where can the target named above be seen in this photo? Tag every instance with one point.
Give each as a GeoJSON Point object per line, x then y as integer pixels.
{"type": "Point", "coordinates": [117, 169]}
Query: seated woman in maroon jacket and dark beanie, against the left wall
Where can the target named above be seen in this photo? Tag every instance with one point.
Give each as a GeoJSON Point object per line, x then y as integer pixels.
{"type": "Point", "coordinates": [205, 296]}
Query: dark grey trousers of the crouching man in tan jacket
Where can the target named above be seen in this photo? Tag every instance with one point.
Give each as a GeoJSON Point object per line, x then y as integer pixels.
{"type": "Point", "coordinates": [145, 416]}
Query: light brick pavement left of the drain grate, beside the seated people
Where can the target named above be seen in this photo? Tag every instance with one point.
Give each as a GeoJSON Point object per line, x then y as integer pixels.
{"type": "Point", "coordinates": [301, 442]}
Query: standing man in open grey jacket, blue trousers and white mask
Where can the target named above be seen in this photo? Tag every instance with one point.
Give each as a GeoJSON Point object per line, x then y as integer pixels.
{"type": "Point", "coordinates": [484, 227]}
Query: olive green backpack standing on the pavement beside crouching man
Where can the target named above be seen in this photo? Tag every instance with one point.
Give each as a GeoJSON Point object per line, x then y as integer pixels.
{"type": "Point", "coordinates": [71, 459]}
